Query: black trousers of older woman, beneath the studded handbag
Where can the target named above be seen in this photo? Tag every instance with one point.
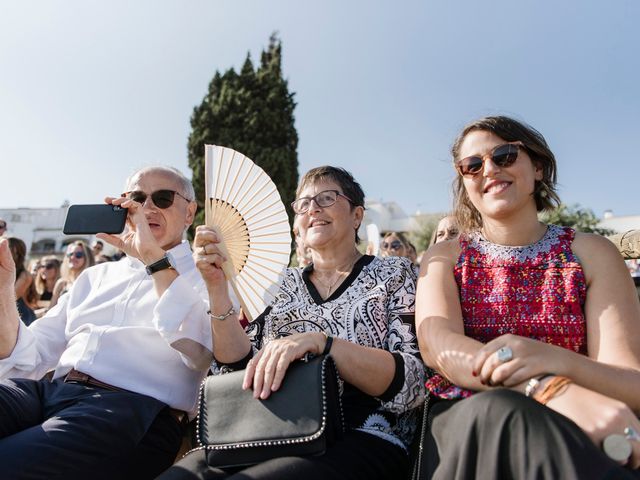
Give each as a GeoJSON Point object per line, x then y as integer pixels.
{"type": "Point", "coordinates": [358, 456]}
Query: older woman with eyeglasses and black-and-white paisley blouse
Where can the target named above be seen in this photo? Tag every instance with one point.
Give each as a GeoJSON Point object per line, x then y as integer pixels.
{"type": "Point", "coordinates": [356, 307]}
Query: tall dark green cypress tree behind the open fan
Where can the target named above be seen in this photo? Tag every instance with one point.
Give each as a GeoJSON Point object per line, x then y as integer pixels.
{"type": "Point", "coordinates": [251, 112]}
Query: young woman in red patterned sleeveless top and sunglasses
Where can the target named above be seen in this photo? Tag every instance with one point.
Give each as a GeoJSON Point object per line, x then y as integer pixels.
{"type": "Point", "coordinates": [534, 329]}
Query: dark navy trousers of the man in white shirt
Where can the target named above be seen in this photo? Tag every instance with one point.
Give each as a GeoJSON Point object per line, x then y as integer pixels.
{"type": "Point", "coordinates": [56, 430]}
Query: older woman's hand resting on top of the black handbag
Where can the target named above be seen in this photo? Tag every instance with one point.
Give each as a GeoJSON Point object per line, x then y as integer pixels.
{"type": "Point", "coordinates": [266, 370]}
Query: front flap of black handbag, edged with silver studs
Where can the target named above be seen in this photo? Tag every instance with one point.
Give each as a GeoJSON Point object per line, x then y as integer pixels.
{"type": "Point", "coordinates": [229, 415]}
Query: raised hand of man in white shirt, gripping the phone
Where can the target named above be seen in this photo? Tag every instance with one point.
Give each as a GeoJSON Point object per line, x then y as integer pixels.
{"type": "Point", "coordinates": [137, 241]}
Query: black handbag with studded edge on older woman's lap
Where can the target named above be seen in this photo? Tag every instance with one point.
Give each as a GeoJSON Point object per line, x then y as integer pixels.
{"type": "Point", "coordinates": [302, 418]}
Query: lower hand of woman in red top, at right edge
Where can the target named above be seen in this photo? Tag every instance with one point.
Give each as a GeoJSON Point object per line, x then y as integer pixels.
{"type": "Point", "coordinates": [598, 416]}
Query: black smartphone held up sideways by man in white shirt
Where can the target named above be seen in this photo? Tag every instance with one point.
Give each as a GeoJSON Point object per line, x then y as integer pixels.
{"type": "Point", "coordinates": [98, 218]}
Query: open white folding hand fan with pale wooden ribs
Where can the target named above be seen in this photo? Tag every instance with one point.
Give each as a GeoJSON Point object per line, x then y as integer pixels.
{"type": "Point", "coordinates": [243, 205]}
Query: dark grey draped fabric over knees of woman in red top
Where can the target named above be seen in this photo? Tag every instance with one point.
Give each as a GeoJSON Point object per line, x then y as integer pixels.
{"type": "Point", "coordinates": [502, 434]}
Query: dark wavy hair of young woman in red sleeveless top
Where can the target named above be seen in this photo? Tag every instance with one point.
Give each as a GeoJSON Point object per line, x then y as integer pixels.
{"type": "Point", "coordinates": [509, 130]}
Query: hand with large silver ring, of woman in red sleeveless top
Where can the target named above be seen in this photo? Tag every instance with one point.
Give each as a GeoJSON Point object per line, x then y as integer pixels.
{"type": "Point", "coordinates": [530, 358]}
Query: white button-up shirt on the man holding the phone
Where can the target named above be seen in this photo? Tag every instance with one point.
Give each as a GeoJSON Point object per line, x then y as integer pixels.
{"type": "Point", "coordinates": [112, 326]}
